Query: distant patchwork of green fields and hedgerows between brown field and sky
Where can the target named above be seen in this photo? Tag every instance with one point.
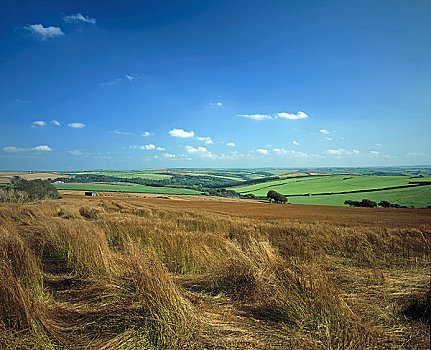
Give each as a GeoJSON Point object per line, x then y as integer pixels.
{"type": "Point", "coordinates": [403, 186]}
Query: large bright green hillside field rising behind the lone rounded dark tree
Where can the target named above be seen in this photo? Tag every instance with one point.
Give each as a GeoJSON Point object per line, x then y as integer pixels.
{"type": "Point", "coordinates": [327, 184]}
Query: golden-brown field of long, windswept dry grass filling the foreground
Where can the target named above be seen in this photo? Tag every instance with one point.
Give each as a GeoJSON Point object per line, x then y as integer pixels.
{"type": "Point", "coordinates": [150, 274]}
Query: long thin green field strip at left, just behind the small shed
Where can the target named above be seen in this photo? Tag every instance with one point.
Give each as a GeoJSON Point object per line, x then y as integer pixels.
{"type": "Point", "coordinates": [133, 188]}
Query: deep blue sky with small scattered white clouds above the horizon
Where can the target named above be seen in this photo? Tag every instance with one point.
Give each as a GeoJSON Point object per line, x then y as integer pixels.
{"type": "Point", "coordinates": [148, 84]}
